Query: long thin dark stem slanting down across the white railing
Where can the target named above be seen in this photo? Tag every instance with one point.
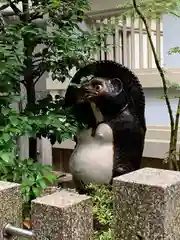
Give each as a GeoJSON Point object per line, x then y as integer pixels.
{"type": "Point", "coordinates": [160, 69]}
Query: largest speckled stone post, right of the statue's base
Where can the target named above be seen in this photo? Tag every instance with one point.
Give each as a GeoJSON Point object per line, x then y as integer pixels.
{"type": "Point", "coordinates": [147, 205]}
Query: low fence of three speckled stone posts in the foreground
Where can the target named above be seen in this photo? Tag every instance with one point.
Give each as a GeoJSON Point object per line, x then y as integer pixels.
{"type": "Point", "coordinates": [146, 207]}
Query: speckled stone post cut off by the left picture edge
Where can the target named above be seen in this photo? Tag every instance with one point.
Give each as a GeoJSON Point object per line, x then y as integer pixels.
{"type": "Point", "coordinates": [10, 206]}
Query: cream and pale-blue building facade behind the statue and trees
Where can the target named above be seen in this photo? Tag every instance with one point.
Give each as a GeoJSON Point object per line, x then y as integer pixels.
{"type": "Point", "coordinates": [128, 45]}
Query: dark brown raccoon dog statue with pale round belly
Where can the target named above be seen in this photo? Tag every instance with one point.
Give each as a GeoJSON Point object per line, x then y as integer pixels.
{"type": "Point", "coordinates": [111, 102]}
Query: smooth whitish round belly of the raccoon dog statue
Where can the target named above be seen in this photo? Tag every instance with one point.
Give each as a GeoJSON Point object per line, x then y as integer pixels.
{"type": "Point", "coordinates": [92, 160]}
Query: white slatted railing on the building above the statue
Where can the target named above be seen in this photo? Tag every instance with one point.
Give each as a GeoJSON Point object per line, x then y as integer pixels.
{"type": "Point", "coordinates": [129, 44]}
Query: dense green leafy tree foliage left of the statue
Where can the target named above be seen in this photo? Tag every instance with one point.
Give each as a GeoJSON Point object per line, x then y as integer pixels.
{"type": "Point", "coordinates": [44, 37]}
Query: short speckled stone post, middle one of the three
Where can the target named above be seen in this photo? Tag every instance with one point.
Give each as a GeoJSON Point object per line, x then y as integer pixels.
{"type": "Point", "coordinates": [62, 215]}
